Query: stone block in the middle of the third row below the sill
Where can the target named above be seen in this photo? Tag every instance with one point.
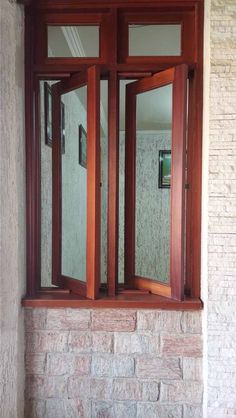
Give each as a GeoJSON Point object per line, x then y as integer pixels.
{"type": "Point", "coordinates": [113, 366]}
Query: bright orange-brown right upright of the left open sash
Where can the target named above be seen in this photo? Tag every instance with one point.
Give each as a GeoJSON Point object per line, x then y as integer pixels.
{"type": "Point", "coordinates": [93, 184]}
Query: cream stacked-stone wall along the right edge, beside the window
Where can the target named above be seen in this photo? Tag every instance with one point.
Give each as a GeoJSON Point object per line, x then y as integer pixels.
{"type": "Point", "coordinates": [222, 212]}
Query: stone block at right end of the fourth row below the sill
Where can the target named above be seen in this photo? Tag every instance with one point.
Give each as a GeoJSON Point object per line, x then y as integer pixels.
{"type": "Point", "coordinates": [181, 391]}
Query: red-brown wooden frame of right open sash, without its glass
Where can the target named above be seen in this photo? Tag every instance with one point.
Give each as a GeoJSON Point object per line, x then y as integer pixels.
{"type": "Point", "coordinates": [176, 76]}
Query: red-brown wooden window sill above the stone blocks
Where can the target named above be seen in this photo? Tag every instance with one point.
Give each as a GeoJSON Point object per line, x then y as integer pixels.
{"type": "Point", "coordinates": [65, 299]}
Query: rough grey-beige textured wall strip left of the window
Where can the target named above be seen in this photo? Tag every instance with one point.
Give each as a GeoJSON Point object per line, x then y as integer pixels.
{"type": "Point", "coordinates": [12, 213]}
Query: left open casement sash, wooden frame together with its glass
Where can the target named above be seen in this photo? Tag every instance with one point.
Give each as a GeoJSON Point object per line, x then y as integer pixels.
{"type": "Point", "coordinates": [76, 186]}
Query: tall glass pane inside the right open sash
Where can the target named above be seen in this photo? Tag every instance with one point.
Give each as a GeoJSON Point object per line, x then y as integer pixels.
{"type": "Point", "coordinates": [153, 176]}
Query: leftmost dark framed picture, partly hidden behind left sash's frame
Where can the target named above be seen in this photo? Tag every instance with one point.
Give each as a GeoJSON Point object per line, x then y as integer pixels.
{"type": "Point", "coordinates": [48, 118]}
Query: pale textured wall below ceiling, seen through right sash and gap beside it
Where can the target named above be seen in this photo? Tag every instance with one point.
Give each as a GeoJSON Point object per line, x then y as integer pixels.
{"type": "Point", "coordinates": [153, 238]}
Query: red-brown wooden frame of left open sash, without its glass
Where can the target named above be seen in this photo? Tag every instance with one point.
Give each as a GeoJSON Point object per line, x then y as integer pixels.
{"type": "Point", "coordinates": [91, 78]}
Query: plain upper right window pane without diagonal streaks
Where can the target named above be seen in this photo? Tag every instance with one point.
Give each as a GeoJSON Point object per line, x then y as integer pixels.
{"type": "Point", "coordinates": [154, 40]}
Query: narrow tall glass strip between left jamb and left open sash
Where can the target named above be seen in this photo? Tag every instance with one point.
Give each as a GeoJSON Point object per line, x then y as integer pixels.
{"type": "Point", "coordinates": [46, 181]}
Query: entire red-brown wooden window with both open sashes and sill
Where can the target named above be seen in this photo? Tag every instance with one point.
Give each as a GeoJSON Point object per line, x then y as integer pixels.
{"type": "Point", "coordinates": [114, 153]}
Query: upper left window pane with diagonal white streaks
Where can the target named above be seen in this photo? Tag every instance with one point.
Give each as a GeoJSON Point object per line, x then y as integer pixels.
{"type": "Point", "coordinates": [73, 41]}
